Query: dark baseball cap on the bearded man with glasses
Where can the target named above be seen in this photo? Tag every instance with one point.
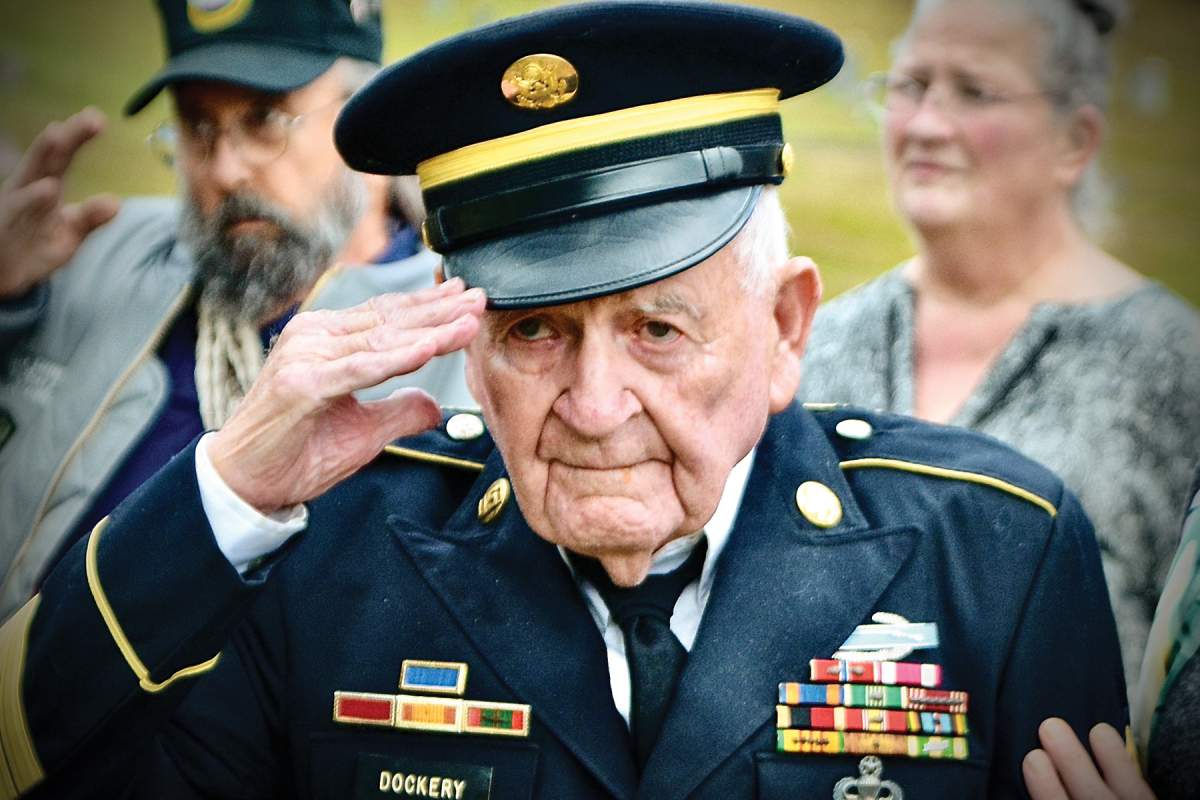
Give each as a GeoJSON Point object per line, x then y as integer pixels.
{"type": "Point", "coordinates": [271, 45]}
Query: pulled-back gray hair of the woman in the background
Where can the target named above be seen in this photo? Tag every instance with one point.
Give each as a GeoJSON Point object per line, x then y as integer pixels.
{"type": "Point", "coordinates": [1076, 71]}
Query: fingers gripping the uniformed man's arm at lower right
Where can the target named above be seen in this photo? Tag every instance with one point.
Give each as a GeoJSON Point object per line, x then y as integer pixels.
{"type": "Point", "coordinates": [1065, 771]}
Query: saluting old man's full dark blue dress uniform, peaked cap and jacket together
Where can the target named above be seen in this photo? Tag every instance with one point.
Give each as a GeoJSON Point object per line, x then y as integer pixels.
{"type": "Point", "coordinates": [419, 640]}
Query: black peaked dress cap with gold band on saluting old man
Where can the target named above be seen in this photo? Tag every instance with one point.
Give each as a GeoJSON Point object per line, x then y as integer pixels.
{"type": "Point", "coordinates": [590, 149]}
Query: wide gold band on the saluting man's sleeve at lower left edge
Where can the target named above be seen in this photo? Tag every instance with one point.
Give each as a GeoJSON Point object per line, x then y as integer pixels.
{"type": "Point", "coordinates": [20, 768]}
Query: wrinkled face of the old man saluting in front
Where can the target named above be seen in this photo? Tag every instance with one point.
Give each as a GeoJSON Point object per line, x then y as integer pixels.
{"type": "Point", "coordinates": [621, 418]}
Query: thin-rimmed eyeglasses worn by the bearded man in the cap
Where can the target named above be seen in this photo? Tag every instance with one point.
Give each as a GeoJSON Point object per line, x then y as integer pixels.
{"type": "Point", "coordinates": [259, 137]}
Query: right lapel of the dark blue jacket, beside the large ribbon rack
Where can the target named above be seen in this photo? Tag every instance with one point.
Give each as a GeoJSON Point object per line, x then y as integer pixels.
{"type": "Point", "coordinates": [785, 592]}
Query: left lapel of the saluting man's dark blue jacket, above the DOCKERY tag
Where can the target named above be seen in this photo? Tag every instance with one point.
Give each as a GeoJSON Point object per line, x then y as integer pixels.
{"type": "Point", "coordinates": [518, 603]}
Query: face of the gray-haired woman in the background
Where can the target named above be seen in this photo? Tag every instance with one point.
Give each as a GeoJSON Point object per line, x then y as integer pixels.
{"type": "Point", "coordinates": [985, 142]}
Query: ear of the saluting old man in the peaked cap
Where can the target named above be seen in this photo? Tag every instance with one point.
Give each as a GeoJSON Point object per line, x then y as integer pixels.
{"type": "Point", "coordinates": [796, 303]}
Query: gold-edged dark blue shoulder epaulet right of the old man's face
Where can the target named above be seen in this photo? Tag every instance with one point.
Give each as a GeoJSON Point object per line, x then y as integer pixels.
{"type": "Point", "coordinates": [877, 441]}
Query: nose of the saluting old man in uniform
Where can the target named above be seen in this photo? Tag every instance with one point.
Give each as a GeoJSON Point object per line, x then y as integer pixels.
{"type": "Point", "coordinates": [599, 399]}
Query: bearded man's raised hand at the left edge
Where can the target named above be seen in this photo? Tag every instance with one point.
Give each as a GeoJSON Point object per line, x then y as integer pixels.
{"type": "Point", "coordinates": [38, 233]}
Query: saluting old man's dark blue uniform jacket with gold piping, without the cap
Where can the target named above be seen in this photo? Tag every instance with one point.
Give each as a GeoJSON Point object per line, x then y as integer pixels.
{"type": "Point", "coordinates": [939, 526]}
